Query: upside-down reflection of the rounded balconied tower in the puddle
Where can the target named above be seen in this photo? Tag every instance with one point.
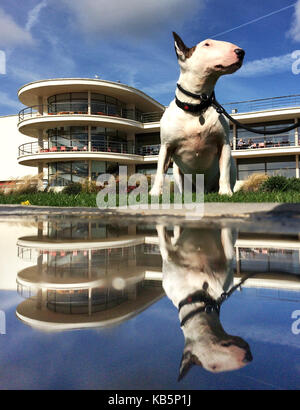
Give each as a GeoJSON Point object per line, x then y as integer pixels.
{"type": "Point", "coordinates": [85, 275]}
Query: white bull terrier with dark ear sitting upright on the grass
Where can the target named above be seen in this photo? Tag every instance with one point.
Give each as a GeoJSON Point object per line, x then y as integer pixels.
{"type": "Point", "coordinates": [192, 133]}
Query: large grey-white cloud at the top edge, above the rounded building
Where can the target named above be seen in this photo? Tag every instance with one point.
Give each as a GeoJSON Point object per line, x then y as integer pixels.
{"type": "Point", "coordinates": [135, 19]}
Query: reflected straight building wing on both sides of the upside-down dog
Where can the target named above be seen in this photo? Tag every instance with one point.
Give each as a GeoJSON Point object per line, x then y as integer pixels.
{"type": "Point", "coordinates": [274, 259]}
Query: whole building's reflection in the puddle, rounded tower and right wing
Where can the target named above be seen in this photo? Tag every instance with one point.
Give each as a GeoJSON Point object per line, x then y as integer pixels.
{"type": "Point", "coordinates": [90, 274]}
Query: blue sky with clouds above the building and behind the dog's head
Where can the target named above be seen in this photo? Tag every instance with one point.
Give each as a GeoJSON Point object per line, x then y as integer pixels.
{"type": "Point", "coordinates": [131, 41]}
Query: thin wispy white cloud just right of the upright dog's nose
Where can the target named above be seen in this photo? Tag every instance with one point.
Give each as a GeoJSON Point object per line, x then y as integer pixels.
{"type": "Point", "coordinates": [266, 66]}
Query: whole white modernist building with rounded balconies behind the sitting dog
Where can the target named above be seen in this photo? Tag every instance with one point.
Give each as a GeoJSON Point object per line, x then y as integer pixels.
{"type": "Point", "coordinates": [76, 129]}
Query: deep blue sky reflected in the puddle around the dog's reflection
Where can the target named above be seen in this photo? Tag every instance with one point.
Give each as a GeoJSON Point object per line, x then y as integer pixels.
{"type": "Point", "coordinates": [145, 352]}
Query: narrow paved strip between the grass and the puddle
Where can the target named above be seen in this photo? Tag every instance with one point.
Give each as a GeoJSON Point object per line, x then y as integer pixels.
{"type": "Point", "coordinates": [252, 217]}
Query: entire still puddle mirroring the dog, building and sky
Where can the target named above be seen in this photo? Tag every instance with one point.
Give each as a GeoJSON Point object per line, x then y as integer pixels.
{"type": "Point", "coordinates": [94, 304]}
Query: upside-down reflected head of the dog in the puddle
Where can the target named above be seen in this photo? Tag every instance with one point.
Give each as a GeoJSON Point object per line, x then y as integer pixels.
{"type": "Point", "coordinates": [231, 353]}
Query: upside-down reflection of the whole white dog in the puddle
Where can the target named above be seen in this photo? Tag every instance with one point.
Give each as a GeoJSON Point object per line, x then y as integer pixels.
{"type": "Point", "coordinates": [198, 262]}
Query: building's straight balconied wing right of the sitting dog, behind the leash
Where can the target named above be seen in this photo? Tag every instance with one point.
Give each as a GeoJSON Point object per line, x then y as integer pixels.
{"type": "Point", "coordinates": [276, 154]}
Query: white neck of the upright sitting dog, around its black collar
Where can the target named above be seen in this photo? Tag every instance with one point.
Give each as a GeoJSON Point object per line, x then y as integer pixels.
{"type": "Point", "coordinates": [196, 85]}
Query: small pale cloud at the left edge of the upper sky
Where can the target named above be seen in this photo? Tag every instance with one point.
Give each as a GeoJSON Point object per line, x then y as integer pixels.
{"type": "Point", "coordinates": [11, 34]}
